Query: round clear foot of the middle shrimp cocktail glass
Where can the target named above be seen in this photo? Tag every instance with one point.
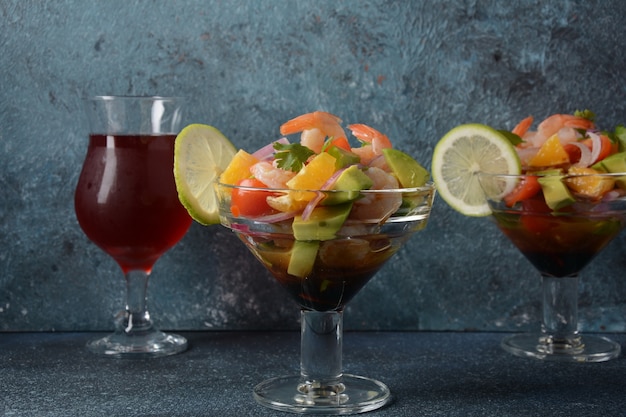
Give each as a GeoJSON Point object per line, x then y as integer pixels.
{"type": "Point", "coordinates": [352, 395]}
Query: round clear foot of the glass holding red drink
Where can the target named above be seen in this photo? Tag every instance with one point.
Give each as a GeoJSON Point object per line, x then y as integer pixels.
{"type": "Point", "coordinates": [138, 344]}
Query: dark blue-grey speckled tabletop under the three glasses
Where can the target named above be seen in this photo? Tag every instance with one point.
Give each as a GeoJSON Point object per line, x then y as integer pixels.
{"type": "Point", "coordinates": [429, 374]}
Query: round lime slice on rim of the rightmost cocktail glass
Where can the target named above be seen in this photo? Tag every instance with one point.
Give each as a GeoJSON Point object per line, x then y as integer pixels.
{"type": "Point", "coordinates": [460, 155]}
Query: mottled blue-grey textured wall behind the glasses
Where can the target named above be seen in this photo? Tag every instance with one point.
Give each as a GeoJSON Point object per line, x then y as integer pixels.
{"type": "Point", "coordinates": [413, 69]}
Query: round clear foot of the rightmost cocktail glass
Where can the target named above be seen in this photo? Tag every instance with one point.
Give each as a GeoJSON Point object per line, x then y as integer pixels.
{"type": "Point", "coordinates": [581, 348]}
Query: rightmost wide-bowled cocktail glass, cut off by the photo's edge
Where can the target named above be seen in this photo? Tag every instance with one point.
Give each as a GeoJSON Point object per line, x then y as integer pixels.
{"type": "Point", "coordinates": [559, 243]}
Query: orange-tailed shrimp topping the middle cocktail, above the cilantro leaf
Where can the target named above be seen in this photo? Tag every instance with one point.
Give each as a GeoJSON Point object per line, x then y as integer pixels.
{"type": "Point", "coordinates": [315, 128]}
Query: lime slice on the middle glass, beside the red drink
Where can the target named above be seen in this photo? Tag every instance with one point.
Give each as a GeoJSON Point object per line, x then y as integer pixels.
{"type": "Point", "coordinates": [201, 154]}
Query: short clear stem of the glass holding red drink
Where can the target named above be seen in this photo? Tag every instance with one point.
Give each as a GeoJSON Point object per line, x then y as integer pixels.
{"type": "Point", "coordinates": [136, 317]}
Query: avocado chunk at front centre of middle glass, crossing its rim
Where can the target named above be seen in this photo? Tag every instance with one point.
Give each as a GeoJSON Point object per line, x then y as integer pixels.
{"type": "Point", "coordinates": [323, 223]}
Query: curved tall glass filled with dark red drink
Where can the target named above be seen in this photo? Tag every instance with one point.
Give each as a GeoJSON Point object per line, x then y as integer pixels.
{"type": "Point", "coordinates": [126, 203]}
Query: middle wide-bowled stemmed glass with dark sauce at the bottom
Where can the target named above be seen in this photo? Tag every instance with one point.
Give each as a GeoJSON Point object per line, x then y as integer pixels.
{"type": "Point", "coordinates": [322, 276]}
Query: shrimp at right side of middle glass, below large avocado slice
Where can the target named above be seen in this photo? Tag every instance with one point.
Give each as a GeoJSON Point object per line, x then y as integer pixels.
{"type": "Point", "coordinates": [377, 207]}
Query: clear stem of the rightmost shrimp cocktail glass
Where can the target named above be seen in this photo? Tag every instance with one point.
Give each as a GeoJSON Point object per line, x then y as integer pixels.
{"type": "Point", "coordinates": [560, 310]}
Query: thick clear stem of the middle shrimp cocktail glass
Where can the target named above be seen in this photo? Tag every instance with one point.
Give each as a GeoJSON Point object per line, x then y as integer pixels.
{"type": "Point", "coordinates": [321, 351]}
